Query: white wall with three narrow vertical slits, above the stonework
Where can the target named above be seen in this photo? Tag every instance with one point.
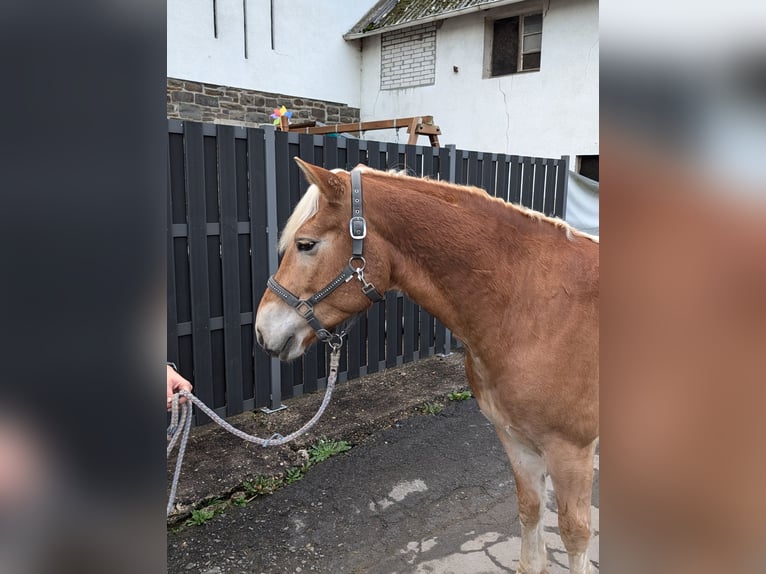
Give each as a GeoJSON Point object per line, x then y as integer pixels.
{"type": "Point", "coordinates": [310, 57]}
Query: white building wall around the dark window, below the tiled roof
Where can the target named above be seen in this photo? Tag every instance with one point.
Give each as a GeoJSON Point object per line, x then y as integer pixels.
{"type": "Point", "coordinates": [548, 113]}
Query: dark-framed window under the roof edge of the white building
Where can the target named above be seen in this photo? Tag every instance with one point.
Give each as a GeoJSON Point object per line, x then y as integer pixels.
{"type": "Point", "coordinates": [516, 44]}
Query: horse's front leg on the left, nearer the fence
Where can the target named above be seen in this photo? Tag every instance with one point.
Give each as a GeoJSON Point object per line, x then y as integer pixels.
{"type": "Point", "coordinates": [529, 471]}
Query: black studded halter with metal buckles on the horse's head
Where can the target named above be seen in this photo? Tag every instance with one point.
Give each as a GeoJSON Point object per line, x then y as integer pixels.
{"type": "Point", "coordinates": [357, 226]}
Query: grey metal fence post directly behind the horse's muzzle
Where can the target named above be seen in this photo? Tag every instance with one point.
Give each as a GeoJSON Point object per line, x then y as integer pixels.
{"type": "Point", "coordinates": [272, 230]}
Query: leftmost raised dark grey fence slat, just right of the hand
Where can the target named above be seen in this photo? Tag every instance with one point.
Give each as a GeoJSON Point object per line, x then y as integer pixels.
{"type": "Point", "coordinates": [198, 265]}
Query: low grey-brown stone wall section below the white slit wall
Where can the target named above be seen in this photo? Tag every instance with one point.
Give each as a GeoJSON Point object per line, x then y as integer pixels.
{"type": "Point", "coordinates": [187, 100]}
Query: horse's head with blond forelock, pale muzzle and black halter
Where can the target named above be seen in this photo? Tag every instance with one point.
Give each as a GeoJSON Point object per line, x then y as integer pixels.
{"type": "Point", "coordinates": [319, 284]}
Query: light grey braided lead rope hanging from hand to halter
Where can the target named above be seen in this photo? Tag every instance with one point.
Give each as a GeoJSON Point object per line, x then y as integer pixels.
{"type": "Point", "coordinates": [180, 423]}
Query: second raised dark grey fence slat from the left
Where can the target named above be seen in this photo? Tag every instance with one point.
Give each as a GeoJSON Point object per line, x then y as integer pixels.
{"type": "Point", "coordinates": [232, 335]}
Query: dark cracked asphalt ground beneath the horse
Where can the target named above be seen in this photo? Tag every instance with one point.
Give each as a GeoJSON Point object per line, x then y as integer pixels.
{"type": "Point", "coordinates": [416, 493]}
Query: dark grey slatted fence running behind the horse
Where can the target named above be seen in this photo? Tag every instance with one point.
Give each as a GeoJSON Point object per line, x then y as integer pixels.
{"type": "Point", "coordinates": [225, 185]}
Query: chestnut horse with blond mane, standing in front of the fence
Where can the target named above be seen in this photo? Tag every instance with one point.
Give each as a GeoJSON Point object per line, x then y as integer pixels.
{"type": "Point", "coordinates": [519, 289]}
